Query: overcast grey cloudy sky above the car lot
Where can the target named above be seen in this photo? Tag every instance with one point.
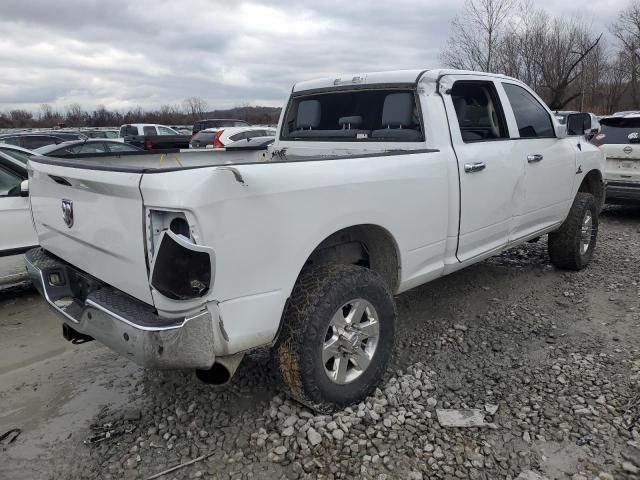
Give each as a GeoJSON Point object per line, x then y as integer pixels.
{"type": "Point", "coordinates": [142, 52]}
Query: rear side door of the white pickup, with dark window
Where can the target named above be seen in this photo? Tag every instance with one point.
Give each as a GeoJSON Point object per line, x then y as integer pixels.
{"type": "Point", "coordinates": [489, 170]}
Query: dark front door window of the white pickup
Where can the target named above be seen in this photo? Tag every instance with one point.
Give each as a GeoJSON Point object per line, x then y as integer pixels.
{"type": "Point", "coordinates": [532, 118]}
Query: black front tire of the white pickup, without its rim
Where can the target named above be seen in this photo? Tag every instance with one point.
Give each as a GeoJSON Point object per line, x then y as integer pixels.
{"type": "Point", "coordinates": [565, 244]}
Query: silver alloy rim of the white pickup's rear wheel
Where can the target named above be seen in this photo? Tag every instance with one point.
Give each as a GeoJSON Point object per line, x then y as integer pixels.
{"type": "Point", "coordinates": [351, 341]}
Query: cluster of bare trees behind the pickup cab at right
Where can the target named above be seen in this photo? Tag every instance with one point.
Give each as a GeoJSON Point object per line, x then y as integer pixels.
{"type": "Point", "coordinates": [565, 60]}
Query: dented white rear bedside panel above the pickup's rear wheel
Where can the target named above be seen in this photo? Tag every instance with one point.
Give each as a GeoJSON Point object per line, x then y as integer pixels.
{"type": "Point", "coordinates": [263, 231]}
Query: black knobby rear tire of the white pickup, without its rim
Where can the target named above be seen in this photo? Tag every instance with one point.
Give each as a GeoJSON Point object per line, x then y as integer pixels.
{"type": "Point", "coordinates": [316, 297]}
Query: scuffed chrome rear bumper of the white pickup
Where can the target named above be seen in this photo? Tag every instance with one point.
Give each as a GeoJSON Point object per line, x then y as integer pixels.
{"type": "Point", "coordinates": [122, 323]}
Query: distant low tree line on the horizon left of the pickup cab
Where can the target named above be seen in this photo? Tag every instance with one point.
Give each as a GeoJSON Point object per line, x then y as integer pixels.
{"type": "Point", "coordinates": [191, 109]}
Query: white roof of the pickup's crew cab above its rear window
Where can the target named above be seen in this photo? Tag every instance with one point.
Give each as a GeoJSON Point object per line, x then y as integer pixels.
{"type": "Point", "coordinates": [393, 76]}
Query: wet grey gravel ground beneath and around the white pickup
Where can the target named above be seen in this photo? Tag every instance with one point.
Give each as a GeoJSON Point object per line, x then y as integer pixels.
{"type": "Point", "coordinates": [550, 359]}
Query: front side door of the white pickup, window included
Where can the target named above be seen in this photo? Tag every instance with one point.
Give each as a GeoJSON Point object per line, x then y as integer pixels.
{"type": "Point", "coordinates": [549, 162]}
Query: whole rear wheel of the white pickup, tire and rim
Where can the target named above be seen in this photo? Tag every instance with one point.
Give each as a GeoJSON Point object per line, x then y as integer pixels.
{"type": "Point", "coordinates": [338, 336]}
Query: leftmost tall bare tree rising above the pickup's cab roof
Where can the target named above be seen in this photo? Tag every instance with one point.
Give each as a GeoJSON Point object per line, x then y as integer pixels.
{"type": "Point", "coordinates": [477, 34]}
